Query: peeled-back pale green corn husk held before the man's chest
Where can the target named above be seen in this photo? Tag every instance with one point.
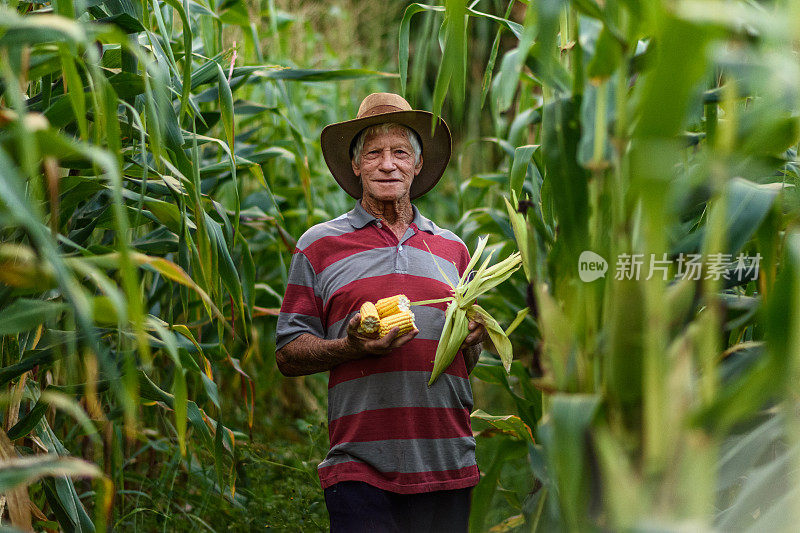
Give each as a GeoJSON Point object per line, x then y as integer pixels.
{"type": "Point", "coordinates": [461, 308]}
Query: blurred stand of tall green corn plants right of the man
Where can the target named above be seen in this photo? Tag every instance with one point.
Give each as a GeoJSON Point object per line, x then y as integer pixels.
{"type": "Point", "coordinates": [657, 394]}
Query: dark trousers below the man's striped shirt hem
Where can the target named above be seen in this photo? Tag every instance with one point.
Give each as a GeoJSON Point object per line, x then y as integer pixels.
{"type": "Point", "coordinates": [355, 506]}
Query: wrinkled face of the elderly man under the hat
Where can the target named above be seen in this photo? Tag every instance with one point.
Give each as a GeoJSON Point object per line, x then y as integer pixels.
{"type": "Point", "coordinates": [386, 166]}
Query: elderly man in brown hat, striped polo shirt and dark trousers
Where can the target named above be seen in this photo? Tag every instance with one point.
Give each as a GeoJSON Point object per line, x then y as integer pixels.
{"type": "Point", "coordinates": [402, 454]}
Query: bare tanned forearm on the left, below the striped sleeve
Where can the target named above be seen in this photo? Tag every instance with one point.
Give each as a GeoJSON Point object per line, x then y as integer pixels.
{"type": "Point", "coordinates": [308, 354]}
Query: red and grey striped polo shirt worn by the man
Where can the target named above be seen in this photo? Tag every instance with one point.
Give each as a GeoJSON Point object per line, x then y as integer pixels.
{"type": "Point", "coordinates": [386, 426]}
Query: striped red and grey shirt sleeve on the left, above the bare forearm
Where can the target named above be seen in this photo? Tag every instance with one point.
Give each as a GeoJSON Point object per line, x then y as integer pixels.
{"type": "Point", "coordinates": [301, 310]}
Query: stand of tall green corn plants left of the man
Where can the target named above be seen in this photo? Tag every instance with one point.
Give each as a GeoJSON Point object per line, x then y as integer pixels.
{"type": "Point", "coordinates": [149, 157]}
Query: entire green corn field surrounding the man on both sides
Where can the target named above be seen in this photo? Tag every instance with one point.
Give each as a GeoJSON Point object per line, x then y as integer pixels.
{"type": "Point", "coordinates": [158, 160]}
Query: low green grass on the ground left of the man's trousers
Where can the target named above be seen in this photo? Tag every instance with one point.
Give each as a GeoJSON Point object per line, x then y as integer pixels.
{"type": "Point", "coordinates": [277, 486]}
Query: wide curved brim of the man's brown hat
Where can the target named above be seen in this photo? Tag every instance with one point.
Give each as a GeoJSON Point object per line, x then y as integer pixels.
{"type": "Point", "coordinates": [336, 139]}
